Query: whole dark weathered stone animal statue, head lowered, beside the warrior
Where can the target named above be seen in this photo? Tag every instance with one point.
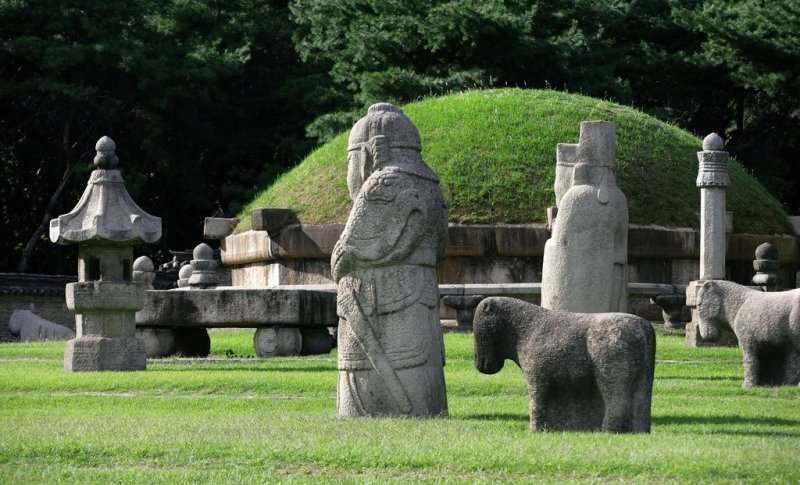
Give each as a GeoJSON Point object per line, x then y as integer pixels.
{"type": "Point", "coordinates": [585, 372]}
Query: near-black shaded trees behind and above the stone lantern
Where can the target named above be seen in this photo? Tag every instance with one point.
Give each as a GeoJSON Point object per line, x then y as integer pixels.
{"type": "Point", "coordinates": [204, 100]}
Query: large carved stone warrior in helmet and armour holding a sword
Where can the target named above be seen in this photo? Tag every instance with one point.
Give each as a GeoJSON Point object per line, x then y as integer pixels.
{"type": "Point", "coordinates": [391, 351]}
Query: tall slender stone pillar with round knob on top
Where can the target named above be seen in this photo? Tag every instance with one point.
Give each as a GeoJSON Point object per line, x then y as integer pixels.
{"type": "Point", "coordinates": [712, 178]}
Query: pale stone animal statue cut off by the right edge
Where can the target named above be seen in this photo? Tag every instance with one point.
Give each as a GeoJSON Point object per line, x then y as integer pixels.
{"type": "Point", "coordinates": [766, 324]}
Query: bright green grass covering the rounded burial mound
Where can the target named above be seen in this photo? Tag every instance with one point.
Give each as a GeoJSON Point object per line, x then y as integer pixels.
{"type": "Point", "coordinates": [495, 153]}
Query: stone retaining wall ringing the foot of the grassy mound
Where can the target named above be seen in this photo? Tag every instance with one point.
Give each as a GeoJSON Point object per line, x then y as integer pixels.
{"type": "Point", "coordinates": [300, 254]}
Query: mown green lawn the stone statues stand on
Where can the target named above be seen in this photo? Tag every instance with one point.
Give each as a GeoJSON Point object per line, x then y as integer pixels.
{"type": "Point", "coordinates": [239, 419]}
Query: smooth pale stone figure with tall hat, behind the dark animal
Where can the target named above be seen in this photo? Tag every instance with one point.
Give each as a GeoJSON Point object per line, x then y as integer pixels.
{"type": "Point", "coordinates": [585, 260]}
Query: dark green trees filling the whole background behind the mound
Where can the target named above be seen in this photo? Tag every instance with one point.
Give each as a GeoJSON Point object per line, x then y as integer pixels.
{"type": "Point", "coordinates": [209, 100]}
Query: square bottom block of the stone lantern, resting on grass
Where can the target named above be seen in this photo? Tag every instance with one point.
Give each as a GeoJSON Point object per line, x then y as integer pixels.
{"type": "Point", "coordinates": [96, 353]}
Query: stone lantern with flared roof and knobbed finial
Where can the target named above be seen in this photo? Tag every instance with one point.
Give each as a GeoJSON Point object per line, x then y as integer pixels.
{"type": "Point", "coordinates": [106, 224]}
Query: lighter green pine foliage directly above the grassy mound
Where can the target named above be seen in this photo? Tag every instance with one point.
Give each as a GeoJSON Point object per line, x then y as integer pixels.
{"type": "Point", "coordinates": [724, 66]}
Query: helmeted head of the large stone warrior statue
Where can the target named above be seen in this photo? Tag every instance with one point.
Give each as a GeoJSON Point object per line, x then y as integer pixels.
{"type": "Point", "coordinates": [385, 136]}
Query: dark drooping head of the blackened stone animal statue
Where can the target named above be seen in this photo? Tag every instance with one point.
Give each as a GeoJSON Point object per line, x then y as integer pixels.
{"type": "Point", "coordinates": [488, 328]}
